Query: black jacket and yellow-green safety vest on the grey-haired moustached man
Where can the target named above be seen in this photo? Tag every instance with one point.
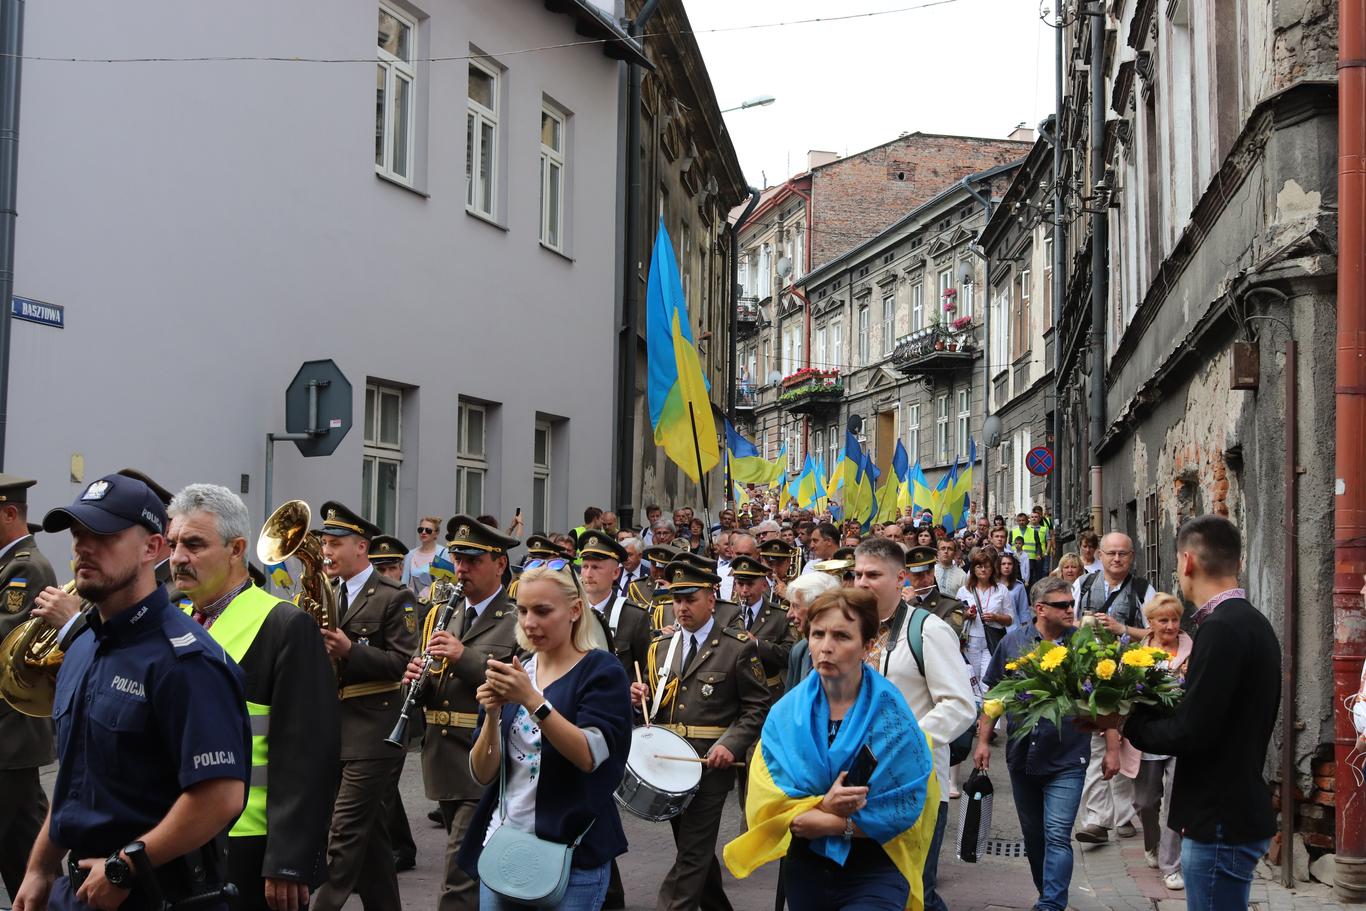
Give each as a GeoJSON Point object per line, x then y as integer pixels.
{"type": "Point", "coordinates": [296, 719]}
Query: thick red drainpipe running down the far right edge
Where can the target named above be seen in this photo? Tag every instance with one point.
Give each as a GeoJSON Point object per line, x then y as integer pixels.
{"type": "Point", "coordinates": [1350, 486]}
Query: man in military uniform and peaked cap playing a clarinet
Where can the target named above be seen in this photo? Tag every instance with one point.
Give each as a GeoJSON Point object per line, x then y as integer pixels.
{"type": "Point", "coordinates": [484, 628]}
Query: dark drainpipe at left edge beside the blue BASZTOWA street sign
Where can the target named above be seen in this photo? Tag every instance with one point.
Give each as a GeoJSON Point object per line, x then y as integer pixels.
{"type": "Point", "coordinates": [12, 47]}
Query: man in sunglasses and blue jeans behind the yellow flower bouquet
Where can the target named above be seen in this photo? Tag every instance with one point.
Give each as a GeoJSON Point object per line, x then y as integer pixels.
{"type": "Point", "coordinates": [1048, 768]}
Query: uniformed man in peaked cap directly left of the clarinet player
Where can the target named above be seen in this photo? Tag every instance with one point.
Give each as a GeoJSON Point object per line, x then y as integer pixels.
{"type": "Point", "coordinates": [378, 633]}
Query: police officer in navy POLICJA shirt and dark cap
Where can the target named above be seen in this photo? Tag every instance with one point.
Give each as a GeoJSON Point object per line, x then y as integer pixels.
{"type": "Point", "coordinates": [128, 797]}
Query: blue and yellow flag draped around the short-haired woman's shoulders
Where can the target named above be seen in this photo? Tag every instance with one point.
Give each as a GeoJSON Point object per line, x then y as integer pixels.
{"type": "Point", "coordinates": [794, 766]}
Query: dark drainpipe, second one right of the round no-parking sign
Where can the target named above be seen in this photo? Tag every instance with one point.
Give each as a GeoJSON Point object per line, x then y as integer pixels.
{"type": "Point", "coordinates": [1100, 285]}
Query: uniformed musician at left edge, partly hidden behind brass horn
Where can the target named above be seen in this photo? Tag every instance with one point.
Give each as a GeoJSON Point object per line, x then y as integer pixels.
{"type": "Point", "coordinates": [25, 742]}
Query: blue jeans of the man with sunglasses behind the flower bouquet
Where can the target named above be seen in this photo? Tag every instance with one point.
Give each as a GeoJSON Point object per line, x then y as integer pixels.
{"type": "Point", "coordinates": [1047, 808]}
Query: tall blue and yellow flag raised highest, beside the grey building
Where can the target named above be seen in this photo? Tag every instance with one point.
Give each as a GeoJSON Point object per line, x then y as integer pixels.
{"type": "Point", "coordinates": [681, 410]}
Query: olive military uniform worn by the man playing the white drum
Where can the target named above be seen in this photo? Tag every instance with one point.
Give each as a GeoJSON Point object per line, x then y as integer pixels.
{"type": "Point", "coordinates": [721, 699]}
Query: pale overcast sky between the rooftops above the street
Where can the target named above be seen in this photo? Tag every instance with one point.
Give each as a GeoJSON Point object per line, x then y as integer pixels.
{"type": "Point", "coordinates": [968, 68]}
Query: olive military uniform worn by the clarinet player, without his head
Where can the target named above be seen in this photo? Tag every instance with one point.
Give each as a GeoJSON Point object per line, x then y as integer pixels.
{"type": "Point", "coordinates": [451, 716]}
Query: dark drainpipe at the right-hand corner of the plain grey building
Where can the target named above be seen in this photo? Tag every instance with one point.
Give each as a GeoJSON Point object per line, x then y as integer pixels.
{"type": "Point", "coordinates": [629, 338]}
